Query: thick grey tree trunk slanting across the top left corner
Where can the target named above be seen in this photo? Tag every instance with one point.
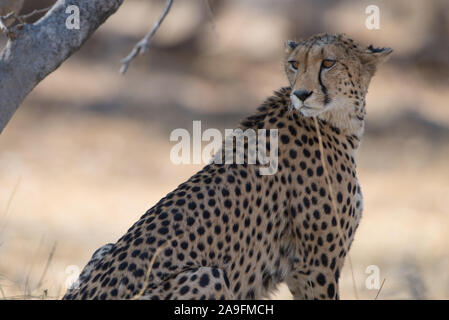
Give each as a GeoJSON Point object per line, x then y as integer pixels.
{"type": "Point", "coordinates": [40, 48]}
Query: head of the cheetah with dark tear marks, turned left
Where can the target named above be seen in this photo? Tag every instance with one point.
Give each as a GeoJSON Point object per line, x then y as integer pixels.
{"type": "Point", "coordinates": [328, 72]}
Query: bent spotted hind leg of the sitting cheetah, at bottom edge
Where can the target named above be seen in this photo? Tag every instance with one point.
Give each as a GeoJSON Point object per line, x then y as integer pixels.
{"type": "Point", "coordinates": [195, 284]}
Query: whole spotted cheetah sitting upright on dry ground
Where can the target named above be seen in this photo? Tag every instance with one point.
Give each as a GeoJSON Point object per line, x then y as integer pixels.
{"type": "Point", "coordinates": [230, 232]}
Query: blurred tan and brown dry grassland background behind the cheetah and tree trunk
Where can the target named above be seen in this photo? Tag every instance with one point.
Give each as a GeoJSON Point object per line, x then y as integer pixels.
{"type": "Point", "coordinates": [87, 153]}
